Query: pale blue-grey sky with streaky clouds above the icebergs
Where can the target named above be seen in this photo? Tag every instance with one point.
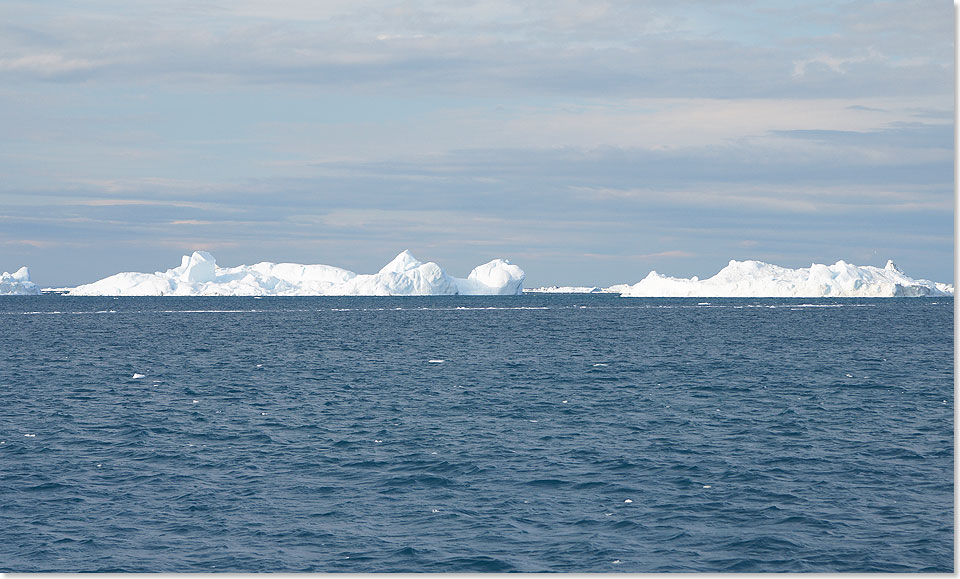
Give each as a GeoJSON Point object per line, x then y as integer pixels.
{"type": "Point", "coordinates": [588, 142]}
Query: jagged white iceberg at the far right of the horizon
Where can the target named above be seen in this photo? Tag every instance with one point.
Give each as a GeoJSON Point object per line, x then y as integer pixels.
{"type": "Point", "coordinates": [758, 279]}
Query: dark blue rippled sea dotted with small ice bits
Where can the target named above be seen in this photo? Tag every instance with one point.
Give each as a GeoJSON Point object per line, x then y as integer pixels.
{"type": "Point", "coordinates": [559, 433]}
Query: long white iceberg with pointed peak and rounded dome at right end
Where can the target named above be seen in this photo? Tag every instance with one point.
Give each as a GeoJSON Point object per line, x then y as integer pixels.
{"type": "Point", "coordinates": [199, 275]}
